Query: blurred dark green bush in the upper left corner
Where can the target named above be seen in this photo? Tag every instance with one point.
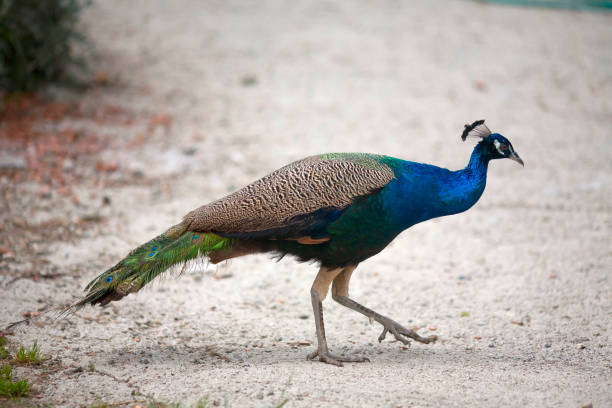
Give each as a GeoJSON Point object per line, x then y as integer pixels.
{"type": "Point", "coordinates": [35, 41]}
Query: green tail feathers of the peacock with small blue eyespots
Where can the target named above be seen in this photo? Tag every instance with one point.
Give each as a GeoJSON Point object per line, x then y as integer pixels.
{"type": "Point", "coordinates": [145, 263]}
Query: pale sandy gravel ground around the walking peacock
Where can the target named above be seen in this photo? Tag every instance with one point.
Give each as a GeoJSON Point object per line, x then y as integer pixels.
{"type": "Point", "coordinates": [253, 86]}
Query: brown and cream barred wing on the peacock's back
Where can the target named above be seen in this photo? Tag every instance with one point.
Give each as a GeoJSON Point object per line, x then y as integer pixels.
{"type": "Point", "coordinates": [293, 192]}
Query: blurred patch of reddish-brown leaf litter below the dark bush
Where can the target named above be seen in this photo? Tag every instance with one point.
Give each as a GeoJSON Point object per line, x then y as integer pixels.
{"type": "Point", "coordinates": [53, 138]}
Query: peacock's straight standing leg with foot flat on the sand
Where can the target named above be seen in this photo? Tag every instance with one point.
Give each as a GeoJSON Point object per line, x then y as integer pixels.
{"type": "Point", "coordinates": [319, 290]}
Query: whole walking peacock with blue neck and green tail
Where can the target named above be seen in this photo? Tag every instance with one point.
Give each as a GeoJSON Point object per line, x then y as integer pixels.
{"type": "Point", "coordinates": [335, 209]}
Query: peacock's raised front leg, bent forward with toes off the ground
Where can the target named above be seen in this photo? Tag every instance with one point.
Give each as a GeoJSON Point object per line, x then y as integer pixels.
{"type": "Point", "coordinates": [340, 295]}
